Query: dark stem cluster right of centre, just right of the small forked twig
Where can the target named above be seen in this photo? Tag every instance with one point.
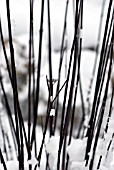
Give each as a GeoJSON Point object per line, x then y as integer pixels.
{"type": "Point", "coordinates": [76, 56]}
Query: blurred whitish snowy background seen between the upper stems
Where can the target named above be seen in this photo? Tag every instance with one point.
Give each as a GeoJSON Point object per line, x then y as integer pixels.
{"type": "Point", "coordinates": [94, 16]}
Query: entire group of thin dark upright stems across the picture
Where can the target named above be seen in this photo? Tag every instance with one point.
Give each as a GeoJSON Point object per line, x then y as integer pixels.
{"type": "Point", "coordinates": [72, 83]}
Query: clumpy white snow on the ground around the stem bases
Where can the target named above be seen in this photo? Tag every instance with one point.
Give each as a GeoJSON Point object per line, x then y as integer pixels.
{"type": "Point", "coordinates": [76, 151]}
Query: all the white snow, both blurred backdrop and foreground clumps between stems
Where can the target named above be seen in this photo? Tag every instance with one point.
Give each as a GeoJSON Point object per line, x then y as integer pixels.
{"type": "Point", "coordinates": [89, 33]}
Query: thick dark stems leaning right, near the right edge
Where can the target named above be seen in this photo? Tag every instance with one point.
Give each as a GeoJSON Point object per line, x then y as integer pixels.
{"type": "Point", "coordinates": [99, 82]}
